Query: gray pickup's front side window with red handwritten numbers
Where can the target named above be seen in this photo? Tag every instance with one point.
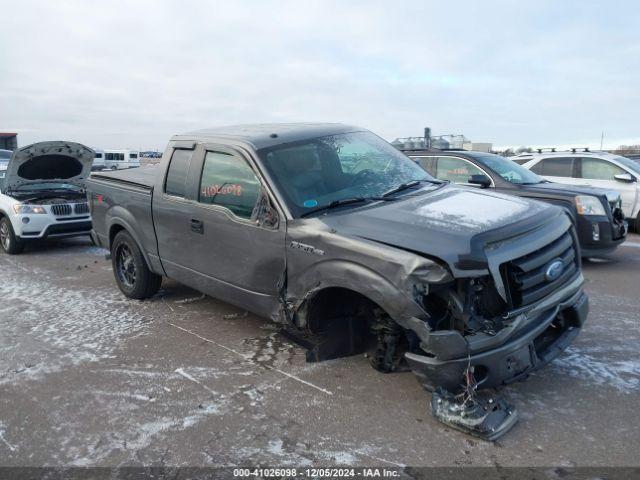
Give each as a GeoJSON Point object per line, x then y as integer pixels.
{"type": "Point", "coordinates": [229, 181]}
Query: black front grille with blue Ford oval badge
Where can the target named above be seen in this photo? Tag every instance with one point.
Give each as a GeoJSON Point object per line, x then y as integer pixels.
{"type": "Point", "coordinates": [526, 277]}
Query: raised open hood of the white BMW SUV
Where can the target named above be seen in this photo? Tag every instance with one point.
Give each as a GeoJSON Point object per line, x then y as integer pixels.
{"type": "Point", "coordinates": [56, 161]}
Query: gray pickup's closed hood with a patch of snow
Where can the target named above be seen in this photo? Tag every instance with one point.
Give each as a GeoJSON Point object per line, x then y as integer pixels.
{"type": "Point", "coordinates": [453, 223]}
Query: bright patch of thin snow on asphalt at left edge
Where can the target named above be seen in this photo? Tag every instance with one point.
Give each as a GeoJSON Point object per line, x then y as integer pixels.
{"type": "Point", "coordinates": [87, 325]}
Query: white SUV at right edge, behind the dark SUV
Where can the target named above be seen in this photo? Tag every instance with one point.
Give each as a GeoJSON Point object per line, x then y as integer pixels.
{"type": "Point", "coordinates": [596, 169]}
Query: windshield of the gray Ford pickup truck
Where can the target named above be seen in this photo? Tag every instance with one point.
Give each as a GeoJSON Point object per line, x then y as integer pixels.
{"type": "Point", "coordinates": [317, 172]}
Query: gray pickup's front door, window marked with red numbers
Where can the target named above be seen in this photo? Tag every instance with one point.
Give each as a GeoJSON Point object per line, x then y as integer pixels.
{"type": "Point", "coordinates": [236, 242]}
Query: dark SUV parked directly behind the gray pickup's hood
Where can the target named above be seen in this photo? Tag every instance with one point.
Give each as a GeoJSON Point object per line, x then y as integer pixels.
{"type": "Point", "coordinates": [596, 213]}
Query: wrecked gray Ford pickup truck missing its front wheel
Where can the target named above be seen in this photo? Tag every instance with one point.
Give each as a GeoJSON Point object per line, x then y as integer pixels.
{"type": "Point", "coordinates": [352, 247]}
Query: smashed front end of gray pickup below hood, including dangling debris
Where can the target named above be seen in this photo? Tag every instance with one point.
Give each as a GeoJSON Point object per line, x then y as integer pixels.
{"type": "Point", "coordinates": [487, 319]}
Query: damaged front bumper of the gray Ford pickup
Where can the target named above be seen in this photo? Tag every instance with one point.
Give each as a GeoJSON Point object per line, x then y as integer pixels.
{"type": "Point", "coordinates": [515, 359]}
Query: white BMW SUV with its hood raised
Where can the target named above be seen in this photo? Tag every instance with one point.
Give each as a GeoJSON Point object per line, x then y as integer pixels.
{"type": "Point", "coordinates": [42, 194]}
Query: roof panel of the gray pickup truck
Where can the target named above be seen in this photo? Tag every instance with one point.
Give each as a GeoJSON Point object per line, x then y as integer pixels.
{"type": "Point", "coordinates": [265, 135]}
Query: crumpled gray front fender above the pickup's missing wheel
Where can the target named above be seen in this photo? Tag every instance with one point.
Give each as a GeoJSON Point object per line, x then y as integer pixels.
{"type": "Point", "coordinates": [392, 278]}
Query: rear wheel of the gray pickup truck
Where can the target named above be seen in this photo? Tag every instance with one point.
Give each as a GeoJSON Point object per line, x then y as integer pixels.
{"type": "Point", "coordinates": [130, 269]}
